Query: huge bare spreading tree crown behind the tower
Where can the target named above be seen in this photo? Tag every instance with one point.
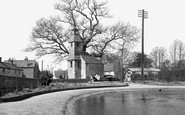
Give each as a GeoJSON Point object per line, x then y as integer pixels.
{"type": "Point", "coordinates": [50, 36]}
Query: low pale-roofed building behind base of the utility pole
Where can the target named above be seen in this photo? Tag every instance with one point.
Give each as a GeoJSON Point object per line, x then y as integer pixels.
{"type": "Point", "coordinates": [146, 71]}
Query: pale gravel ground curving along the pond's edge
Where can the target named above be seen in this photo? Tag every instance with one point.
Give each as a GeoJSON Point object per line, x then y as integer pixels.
{"type": "Point", "coordinates": [60, 103]}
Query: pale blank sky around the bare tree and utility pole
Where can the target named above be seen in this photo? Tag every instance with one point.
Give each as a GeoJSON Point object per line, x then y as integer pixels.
{"type": "Point", "coordinates": [165, 23]}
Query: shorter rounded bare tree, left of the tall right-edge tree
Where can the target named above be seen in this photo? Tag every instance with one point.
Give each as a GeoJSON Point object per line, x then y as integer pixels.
{"type": "Point", "coordinates": [158, 56]}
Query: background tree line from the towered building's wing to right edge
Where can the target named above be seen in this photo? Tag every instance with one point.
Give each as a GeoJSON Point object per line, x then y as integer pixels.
{"type": "Point", "coordinates": [158, 58]}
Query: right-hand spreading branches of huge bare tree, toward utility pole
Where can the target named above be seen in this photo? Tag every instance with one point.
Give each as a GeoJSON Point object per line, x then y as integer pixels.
{"type": "Point", "coordinates": [119, 37]}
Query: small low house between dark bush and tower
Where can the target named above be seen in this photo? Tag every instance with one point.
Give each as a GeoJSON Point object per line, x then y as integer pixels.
{"type": "Point", "coordinates": [60, 74]}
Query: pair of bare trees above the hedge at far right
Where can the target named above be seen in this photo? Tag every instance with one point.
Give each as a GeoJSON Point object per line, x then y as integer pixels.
{"type": "Point", "coordinates": [175, 59]}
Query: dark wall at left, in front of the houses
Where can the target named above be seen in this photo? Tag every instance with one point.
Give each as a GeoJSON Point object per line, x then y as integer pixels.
{"type": "Point", "coordinates": [11, 84]}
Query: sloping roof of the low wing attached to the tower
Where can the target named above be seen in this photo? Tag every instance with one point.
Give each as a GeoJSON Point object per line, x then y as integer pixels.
{"type": "Point", "coordinates": [90, 59]}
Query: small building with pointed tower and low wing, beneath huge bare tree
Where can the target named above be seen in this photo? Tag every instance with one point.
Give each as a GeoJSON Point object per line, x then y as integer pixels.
{"type": "Point", "coordinates": [80, 65]}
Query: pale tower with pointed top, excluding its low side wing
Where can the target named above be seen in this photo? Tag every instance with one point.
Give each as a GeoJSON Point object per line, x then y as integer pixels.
{"type": "Point", "coordinates": [74, 61]}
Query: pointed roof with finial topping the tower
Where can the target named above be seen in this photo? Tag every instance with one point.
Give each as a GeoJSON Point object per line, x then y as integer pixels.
{"type": "Point", "coordinates": [75, 37]}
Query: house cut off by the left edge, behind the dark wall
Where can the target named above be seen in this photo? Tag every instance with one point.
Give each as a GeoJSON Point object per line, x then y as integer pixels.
{"type": "Point", "coordinates": [8, 69]}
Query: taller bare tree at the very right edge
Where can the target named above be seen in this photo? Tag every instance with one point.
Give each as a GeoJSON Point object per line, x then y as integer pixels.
{"type": "Point", "coordinates": [177, 52]}
